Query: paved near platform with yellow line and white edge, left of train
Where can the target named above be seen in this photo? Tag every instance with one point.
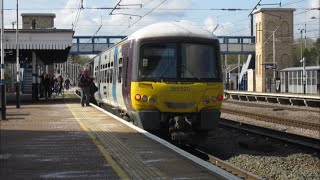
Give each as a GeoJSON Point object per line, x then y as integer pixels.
{"type": "Point", "coordinates": [57, 138]}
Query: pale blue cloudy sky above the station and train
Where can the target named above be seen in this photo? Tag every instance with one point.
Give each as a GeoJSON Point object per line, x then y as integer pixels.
{"type": "Point", "coordinates": [95, 18]}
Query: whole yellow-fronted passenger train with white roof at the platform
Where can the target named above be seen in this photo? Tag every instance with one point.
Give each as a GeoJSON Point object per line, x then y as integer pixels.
{"type": "Point", "coordinates": [166, 76]}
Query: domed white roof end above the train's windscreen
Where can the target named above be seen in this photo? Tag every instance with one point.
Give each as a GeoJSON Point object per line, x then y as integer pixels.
{"type": "Point", "coordinates": [172, 29]}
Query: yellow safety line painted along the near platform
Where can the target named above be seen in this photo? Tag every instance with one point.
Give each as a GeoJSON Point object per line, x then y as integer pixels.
{"type": "Point", "coordinates": [104, 152]}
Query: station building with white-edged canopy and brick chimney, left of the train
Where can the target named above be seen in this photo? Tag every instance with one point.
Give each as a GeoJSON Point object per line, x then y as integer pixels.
{"type": "Point", "coordinates": [40, 45]}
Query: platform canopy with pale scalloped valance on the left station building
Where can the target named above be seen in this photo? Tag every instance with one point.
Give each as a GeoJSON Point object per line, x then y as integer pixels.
{"type": "Point", "coordinates": [50, 45]}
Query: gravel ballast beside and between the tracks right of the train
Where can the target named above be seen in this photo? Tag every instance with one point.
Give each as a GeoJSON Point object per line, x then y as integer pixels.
{"type": "Point", "coordinates": [267, 158]}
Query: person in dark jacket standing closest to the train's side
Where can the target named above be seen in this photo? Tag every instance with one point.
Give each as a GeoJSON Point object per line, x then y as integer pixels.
{"type": "Point", "coordinates": [84, 84]}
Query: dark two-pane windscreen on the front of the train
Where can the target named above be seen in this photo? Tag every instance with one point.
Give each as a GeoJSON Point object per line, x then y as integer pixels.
{"type": "Point", "coordinates": [179, 61]}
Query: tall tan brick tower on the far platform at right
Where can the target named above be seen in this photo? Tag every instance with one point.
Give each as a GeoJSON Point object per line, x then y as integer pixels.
{"type": "Point", "coordinates": [274, 33]}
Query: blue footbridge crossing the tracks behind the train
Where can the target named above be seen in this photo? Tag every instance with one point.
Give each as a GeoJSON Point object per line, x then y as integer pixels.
{"type": "Point", "coordinates": [96, 44]}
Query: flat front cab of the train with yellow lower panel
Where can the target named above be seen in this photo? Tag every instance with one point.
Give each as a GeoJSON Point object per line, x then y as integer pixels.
{"type": "Point", "coordinates": [173, 86]}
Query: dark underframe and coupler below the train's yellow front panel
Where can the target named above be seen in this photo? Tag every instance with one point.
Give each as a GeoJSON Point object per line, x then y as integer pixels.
{"type": "Point", "coordinates": [184, 128]}
